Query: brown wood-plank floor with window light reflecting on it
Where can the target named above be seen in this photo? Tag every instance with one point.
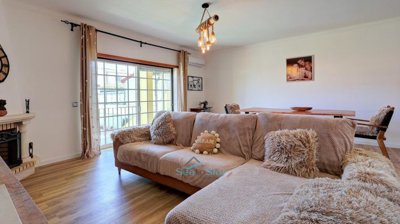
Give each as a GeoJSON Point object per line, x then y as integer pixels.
{"type": "Point", "coordinates": [90, 191]}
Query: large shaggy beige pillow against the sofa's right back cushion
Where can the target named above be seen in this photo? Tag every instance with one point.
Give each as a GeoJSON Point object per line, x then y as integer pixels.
{"type": "Point", "coordinates": [292, 152]}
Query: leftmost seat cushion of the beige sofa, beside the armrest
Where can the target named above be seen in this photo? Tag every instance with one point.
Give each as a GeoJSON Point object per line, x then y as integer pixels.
{"type": "Point", "coordinates": [144, 154]}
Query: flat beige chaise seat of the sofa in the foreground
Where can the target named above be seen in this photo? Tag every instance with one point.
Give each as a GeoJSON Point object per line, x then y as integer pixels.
{"type": "Point", "coordinates": [247, 194]}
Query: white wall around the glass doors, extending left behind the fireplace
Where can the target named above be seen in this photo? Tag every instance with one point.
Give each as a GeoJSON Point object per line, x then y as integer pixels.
{"type": "Point", "coordinates": [44, 59]}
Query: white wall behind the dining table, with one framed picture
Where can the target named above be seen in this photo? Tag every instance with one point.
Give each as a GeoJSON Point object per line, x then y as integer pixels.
{"type": "Point", "coordinates": [356, 68]}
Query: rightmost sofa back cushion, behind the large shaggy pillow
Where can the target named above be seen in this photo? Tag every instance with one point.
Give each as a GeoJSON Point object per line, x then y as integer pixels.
{"type": "Point", "coordinates": [335, 136]}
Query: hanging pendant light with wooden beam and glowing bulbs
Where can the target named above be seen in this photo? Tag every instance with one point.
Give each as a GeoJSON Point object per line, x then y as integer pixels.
{"type": "Point", "coordinates": [205, 30]}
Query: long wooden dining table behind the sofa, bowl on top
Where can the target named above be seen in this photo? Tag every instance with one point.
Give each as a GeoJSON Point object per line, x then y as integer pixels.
{"type": "Point", "coordinates": [316, 112]}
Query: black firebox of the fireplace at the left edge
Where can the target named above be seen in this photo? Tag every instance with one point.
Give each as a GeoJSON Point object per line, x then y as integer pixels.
{"type": "Point", "coordinates": [10, 147]}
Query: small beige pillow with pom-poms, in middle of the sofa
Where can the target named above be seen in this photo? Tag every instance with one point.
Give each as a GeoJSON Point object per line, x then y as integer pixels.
{"type": "Point", "coordinates": [207, 143]}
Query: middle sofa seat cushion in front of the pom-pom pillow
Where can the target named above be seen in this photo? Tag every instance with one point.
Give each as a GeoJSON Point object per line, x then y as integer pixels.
{"type": "Point", "coordinates": [197, 169]}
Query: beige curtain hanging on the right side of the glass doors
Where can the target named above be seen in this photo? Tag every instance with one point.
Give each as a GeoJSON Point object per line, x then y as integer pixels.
{"type": "Point", "coordinates": [182, 80]}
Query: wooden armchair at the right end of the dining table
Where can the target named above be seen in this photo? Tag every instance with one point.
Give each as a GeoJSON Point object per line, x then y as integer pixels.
{"type": "Point", "coordinates": [376, 127]}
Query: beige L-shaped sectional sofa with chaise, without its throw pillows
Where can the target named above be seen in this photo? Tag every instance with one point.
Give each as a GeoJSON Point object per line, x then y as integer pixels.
{"type": "Point", "coordinates": [231, 186]}
